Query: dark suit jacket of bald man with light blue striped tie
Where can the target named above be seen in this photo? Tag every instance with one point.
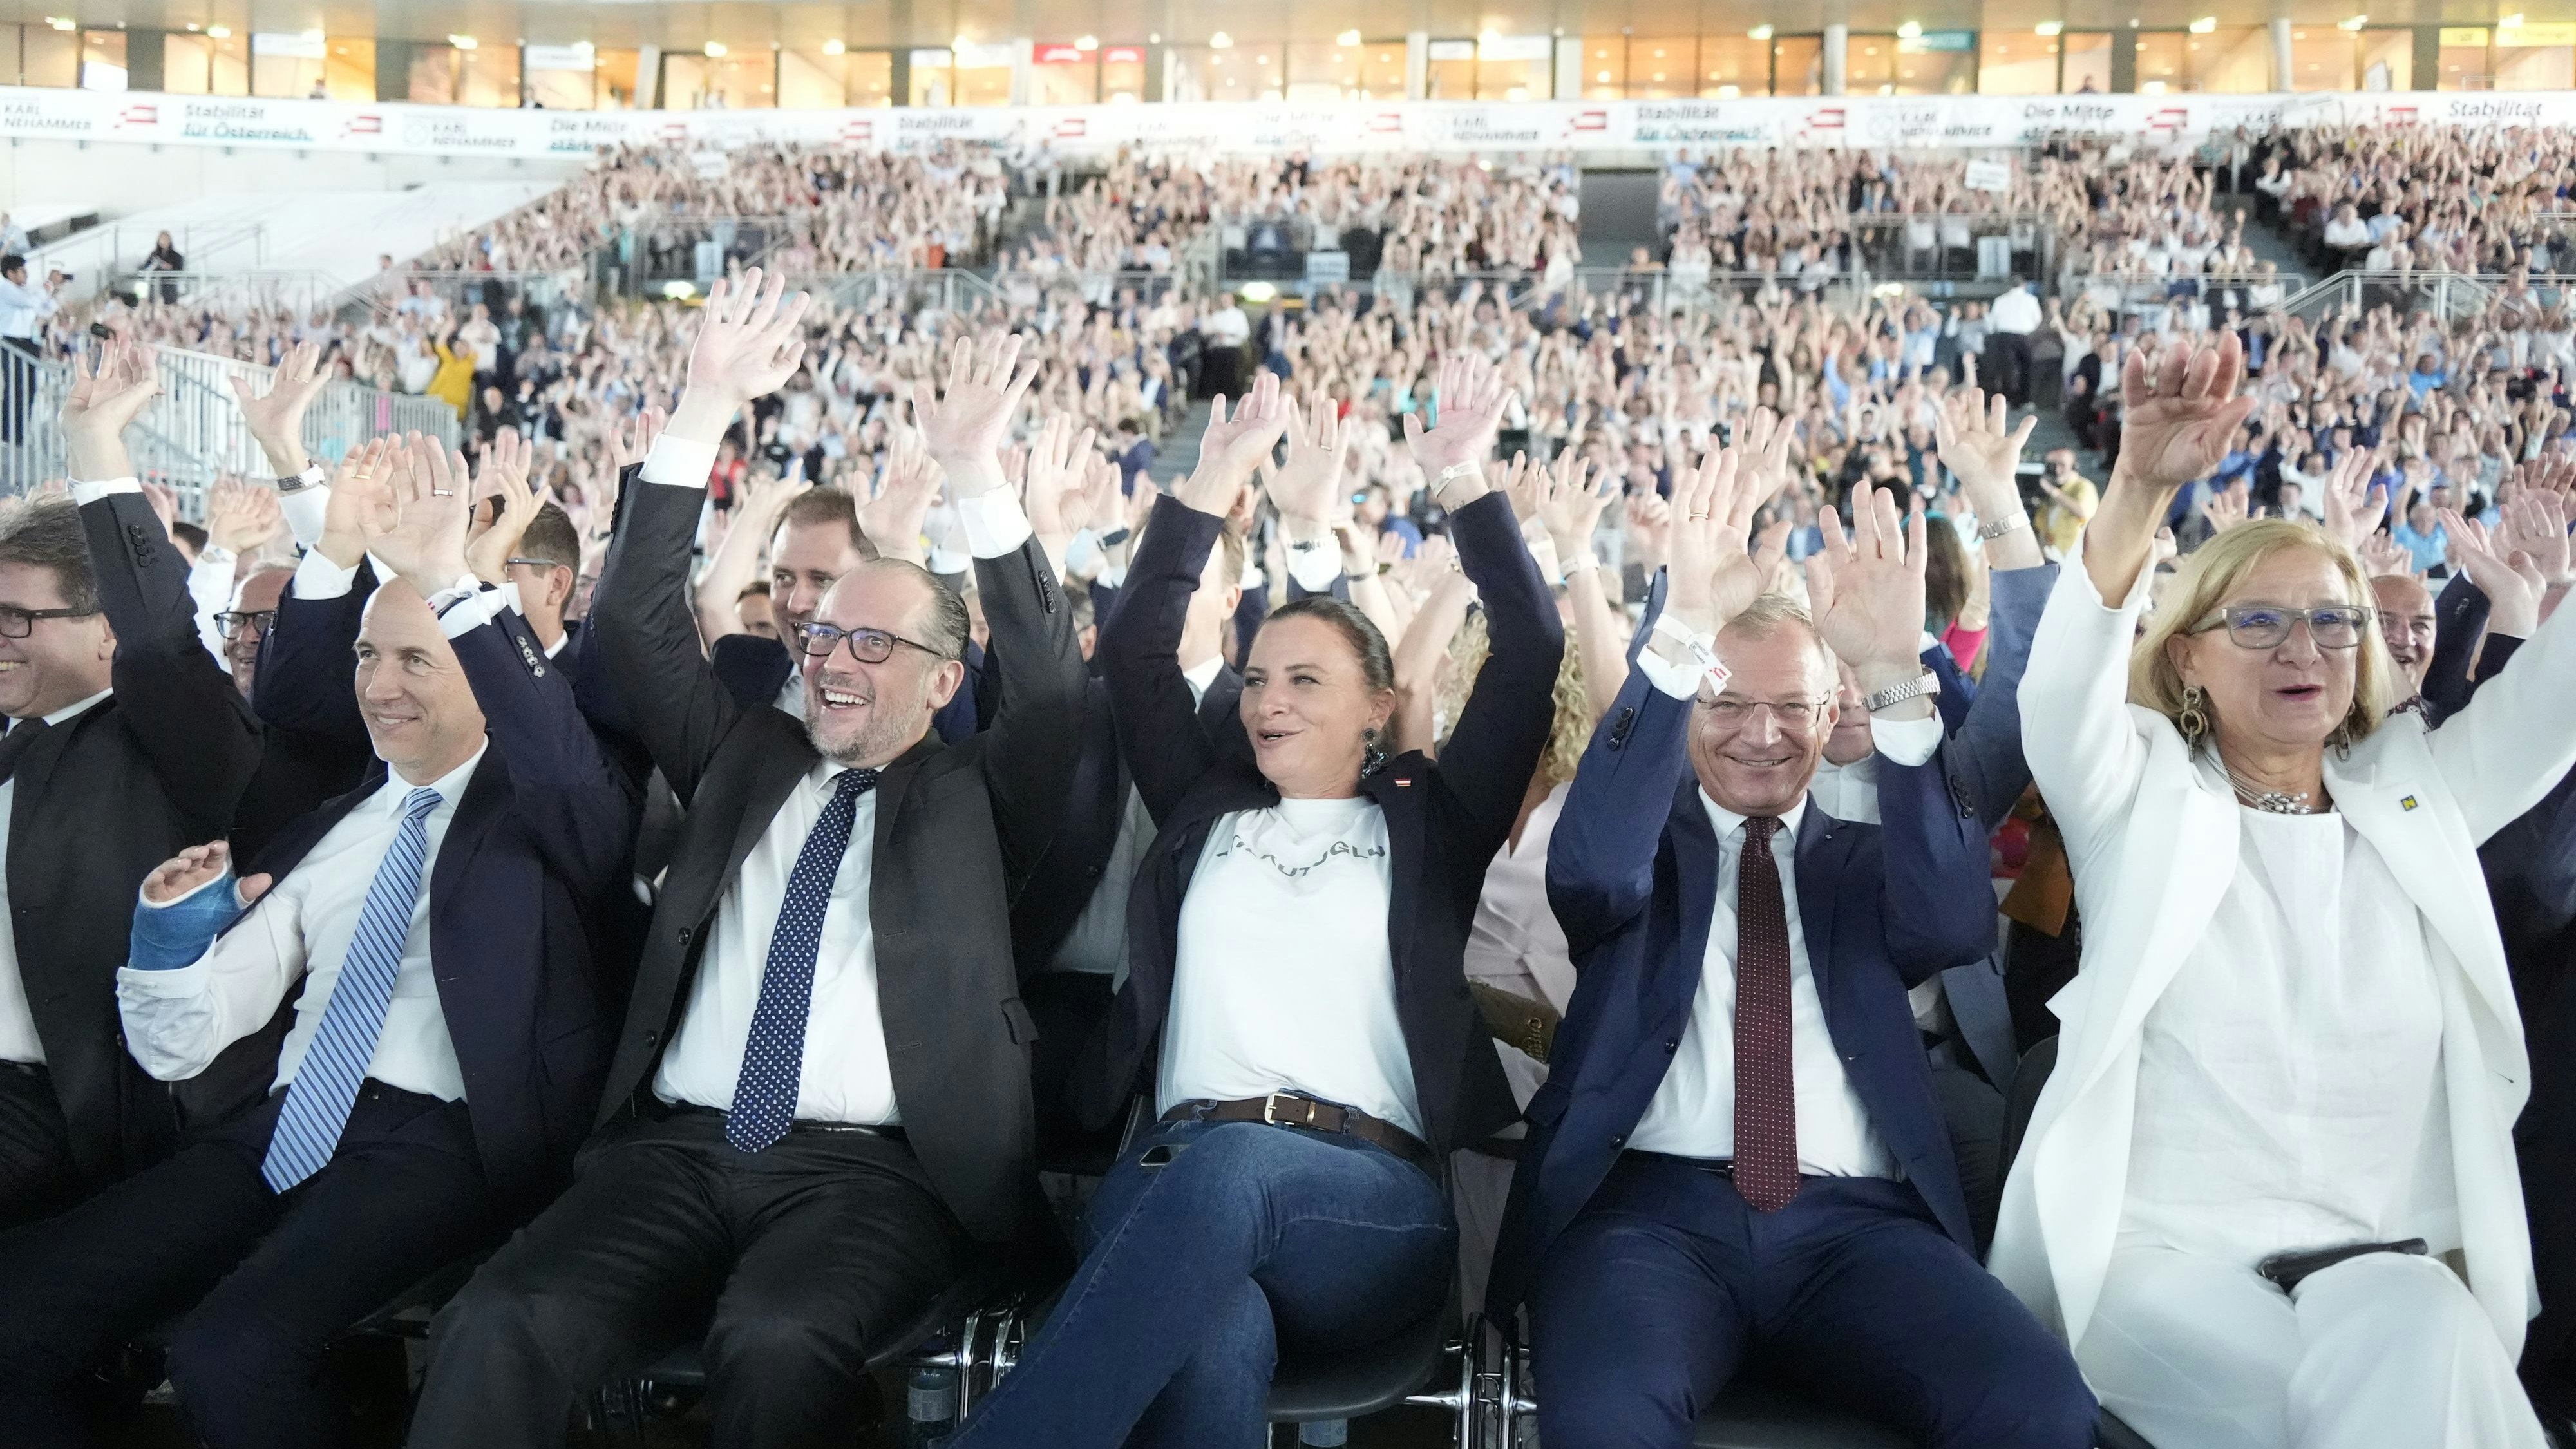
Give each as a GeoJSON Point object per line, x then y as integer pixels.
{"type": "Point", "coordinates": [537, 847]}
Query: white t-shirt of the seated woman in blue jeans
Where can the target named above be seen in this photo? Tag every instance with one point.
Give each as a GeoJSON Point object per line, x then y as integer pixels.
{"type": "Point", "coordinates": [1282, 976]}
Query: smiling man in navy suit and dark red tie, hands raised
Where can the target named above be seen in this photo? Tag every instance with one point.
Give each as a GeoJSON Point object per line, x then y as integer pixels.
{"type": "Point", "coordinates": [1740, 1154]}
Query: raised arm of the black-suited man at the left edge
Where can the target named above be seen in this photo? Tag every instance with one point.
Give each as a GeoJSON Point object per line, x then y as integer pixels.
{"type": "Point", "coordinates": [182, 705]}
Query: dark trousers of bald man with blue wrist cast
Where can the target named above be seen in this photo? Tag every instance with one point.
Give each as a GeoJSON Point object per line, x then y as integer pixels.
{"type": "Point", "coordinates": [272, 1278]}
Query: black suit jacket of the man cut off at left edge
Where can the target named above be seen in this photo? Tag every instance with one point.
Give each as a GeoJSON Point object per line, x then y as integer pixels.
{"type": "Point", "coordinates": [102, 801]}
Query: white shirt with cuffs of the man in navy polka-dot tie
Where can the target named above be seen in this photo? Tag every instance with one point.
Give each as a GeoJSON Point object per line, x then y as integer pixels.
{"type": "Point", "coordinates": [846, 1074]}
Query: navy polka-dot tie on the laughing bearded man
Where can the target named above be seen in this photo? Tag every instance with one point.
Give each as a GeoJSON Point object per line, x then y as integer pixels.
{"type": "Point", "coordinates": [774, 1053]}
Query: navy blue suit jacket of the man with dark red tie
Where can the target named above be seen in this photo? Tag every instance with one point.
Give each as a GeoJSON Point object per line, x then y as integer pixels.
{"type": "Point", "coordinates": [1634, 873]}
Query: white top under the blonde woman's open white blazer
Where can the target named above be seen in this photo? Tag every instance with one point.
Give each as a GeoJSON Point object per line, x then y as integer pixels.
{"type": "Point", "coordinates": [2291, 1076]}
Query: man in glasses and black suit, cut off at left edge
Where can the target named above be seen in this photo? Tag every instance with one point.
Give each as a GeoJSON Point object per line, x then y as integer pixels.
{"type": "Point", "coordinates": [128, 744]}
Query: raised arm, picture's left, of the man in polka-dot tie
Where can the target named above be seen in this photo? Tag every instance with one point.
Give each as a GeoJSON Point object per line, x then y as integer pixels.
{"type": "Point", "coordinates": [648, 630]}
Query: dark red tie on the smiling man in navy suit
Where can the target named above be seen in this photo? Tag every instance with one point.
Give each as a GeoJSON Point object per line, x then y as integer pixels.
{"type": "Point", "coordinates": [1766, 1084]}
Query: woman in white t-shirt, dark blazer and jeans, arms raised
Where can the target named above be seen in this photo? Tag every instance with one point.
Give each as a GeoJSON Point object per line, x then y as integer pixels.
{"type": "Point", "coordinates": [1294, 1009]}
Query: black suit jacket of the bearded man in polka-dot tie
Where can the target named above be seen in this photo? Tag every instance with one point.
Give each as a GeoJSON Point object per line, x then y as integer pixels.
{"type": "Point", "coordinates": [957, 837]}
